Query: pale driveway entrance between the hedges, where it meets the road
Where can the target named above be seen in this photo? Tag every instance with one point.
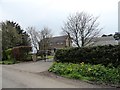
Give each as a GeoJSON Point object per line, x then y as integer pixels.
{"type": "Point", "coordinates": [33, 67]}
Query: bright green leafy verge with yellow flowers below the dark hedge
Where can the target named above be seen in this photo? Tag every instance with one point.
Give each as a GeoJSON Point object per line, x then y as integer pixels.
{"type": "Point", "coordinates": [90, 72]}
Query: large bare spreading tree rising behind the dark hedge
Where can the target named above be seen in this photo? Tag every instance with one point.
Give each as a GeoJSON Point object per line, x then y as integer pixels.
{"type": "Point", "coordinates": [82, 28]}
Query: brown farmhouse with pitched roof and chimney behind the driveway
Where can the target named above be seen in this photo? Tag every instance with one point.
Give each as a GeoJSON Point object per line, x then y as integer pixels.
{"type": "Point", "coordinates": [57, 42]}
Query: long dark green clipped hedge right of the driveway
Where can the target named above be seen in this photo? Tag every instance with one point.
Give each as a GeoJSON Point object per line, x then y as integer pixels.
{"type": "Point", "coordinates": [94, 55]}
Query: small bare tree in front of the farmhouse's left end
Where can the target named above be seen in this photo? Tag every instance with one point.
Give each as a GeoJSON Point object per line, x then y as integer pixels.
{"type": "Point", "coordinates": [45, 34]}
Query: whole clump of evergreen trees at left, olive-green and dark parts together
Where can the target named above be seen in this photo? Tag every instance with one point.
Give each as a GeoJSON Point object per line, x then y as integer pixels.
{"type": "Point", "coordinates": [13, 35]}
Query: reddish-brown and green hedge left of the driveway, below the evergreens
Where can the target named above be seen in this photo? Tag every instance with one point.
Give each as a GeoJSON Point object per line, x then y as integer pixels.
{"type": "Point", "coordinates": [20, 53]}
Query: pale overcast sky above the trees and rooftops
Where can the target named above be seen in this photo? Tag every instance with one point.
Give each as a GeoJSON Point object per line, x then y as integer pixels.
{"type": "Point", "coordinates": [52, 13]}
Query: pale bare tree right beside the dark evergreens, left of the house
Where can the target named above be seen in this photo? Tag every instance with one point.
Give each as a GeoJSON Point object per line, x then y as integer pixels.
{"type": "Point", "coordinates": [35, 37]}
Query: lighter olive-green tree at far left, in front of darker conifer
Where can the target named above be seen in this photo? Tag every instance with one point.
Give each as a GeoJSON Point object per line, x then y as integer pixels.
{"type": "Point", "coordinates": [10, 37]}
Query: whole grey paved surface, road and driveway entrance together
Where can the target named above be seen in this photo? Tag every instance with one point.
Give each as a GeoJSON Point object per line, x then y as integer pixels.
{"type": "Point", "coordinates": [32, 75]}
